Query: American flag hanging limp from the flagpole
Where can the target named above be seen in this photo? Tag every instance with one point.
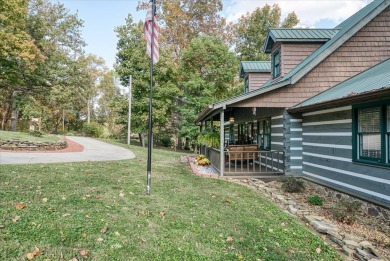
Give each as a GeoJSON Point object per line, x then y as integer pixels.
{"type": "Point", "coordinates": [148, 33]}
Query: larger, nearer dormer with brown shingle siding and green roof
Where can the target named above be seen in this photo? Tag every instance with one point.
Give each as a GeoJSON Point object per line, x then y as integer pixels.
{"type": "Point", "coordinates": [289, 47]}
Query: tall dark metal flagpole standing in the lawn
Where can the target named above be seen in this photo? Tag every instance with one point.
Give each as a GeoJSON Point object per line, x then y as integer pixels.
{"type": "Point", "coordinates": [150, 134]}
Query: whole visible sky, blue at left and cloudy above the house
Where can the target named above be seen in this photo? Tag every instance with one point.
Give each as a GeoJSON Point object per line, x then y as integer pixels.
{"type": "Point", "coordinates": [102, 16]}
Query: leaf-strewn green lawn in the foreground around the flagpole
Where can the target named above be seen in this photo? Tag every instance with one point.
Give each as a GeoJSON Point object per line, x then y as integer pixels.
{"type": "Point", "coordinates": [99, 211]}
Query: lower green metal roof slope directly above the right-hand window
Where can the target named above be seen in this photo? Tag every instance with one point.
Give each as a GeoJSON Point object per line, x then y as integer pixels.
{"type": "Point", "coordinates": [375, 78]}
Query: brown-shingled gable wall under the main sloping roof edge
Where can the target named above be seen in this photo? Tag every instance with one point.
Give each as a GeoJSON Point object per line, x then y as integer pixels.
{"type": "Point", "coordinates": [366, 48]}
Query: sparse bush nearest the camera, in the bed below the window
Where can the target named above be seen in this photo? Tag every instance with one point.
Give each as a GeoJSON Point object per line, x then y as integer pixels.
{"type": "Point", "coordinates": [345, 211]}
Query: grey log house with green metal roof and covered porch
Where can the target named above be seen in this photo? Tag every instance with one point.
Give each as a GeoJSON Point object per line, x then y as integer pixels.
{"type": "Point", "coordinates": [324, 112]}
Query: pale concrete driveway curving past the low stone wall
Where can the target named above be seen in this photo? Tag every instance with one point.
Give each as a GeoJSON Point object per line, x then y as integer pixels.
{"type": "Point", "coordinates": [94, 150]}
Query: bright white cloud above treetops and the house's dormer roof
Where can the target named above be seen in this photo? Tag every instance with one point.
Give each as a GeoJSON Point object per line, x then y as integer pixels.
{"type": "Point", "coordinates": [310, 12]}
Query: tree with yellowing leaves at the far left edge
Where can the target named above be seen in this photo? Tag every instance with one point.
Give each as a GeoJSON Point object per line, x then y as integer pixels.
{"type": "Point", "coordinates": [18, 56]}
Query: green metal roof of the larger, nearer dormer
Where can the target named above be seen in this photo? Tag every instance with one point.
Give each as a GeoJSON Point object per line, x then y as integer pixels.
{"type": "Point", "coordinates": [297, 35]}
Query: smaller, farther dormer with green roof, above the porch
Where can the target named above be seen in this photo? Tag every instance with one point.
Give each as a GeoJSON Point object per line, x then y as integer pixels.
{"type": "Point", "coordinates": [255, 74]}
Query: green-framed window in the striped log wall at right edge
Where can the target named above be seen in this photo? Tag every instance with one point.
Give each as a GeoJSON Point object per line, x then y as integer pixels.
{"type": "Point", "coordinates": [371, 140]}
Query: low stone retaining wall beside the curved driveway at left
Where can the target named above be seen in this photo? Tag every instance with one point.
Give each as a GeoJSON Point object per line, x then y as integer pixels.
{"type": "Point", "coordinates": [16, 144]}
